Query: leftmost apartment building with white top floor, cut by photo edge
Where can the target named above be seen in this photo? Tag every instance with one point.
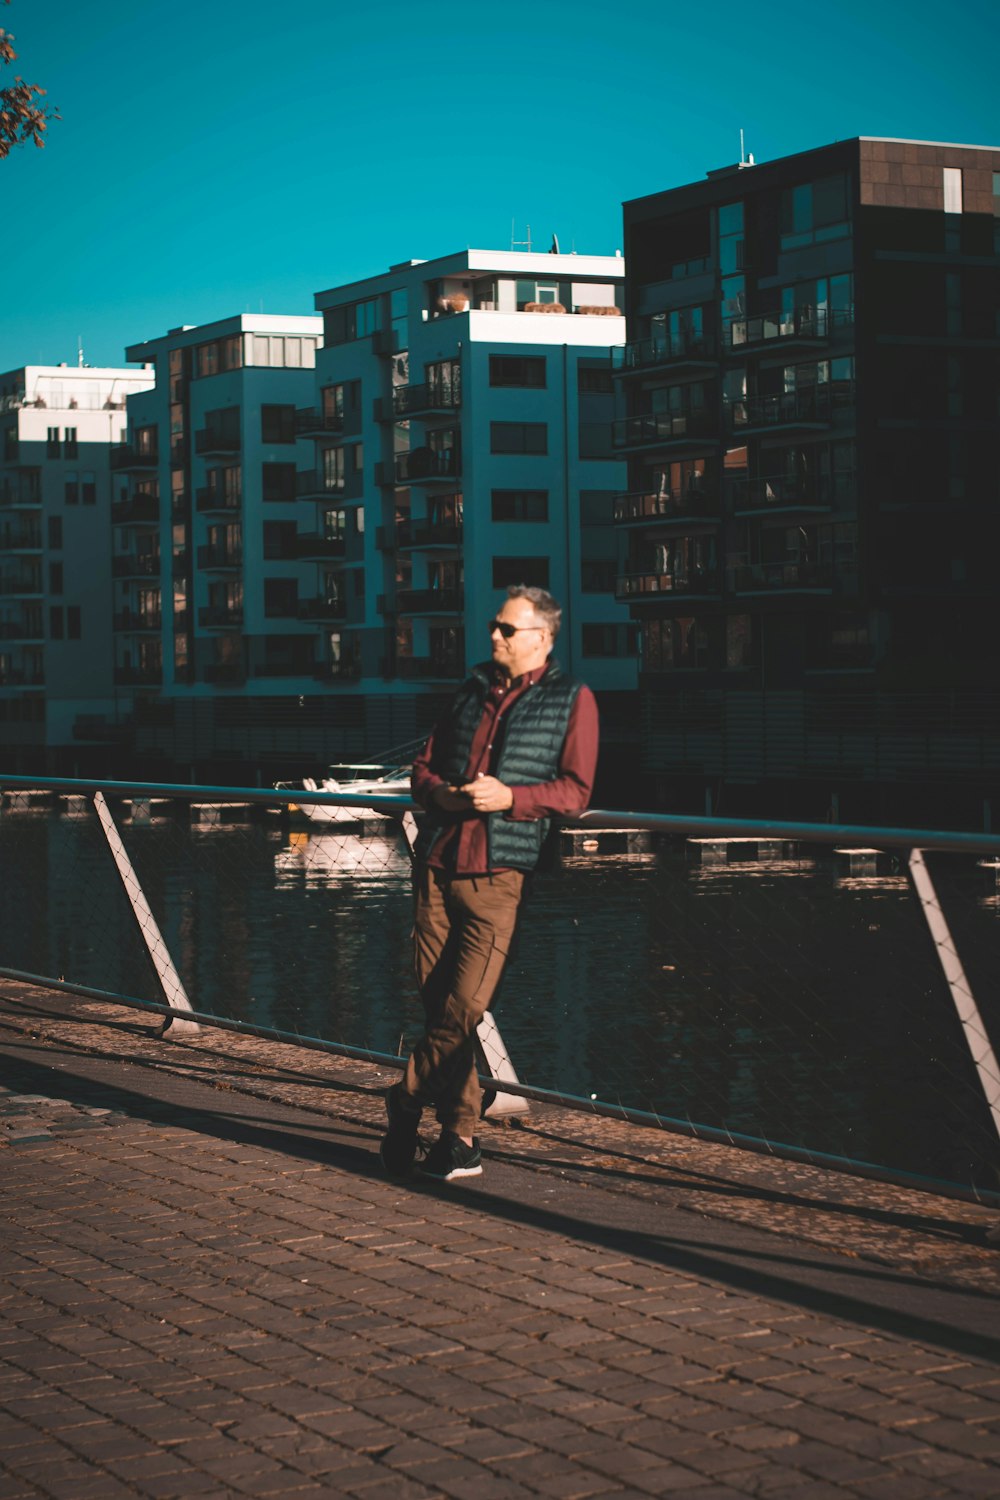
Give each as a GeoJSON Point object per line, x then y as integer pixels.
{"type": "Point", "coordinates": [58, 691]}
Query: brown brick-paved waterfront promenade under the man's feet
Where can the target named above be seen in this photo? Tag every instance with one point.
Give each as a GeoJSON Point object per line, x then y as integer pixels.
{"type": "Point", "coordinates": [211, 1291]}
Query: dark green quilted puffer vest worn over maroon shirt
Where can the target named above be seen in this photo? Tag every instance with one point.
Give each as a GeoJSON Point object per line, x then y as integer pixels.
{"type": "Point", "coordinates": [533, 734]}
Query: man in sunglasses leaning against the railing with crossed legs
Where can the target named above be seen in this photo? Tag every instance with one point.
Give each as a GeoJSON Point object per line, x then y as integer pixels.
{"type": "Point", "coordinates": [516, 749]}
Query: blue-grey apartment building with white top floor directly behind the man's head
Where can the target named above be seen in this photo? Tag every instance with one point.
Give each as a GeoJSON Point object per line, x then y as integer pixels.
{"type": "Point", "coordinates": [463, 440]}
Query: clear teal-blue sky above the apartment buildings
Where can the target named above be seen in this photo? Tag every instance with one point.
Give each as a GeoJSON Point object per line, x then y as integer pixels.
{"type": "Point", "coordinates": [223, 157]}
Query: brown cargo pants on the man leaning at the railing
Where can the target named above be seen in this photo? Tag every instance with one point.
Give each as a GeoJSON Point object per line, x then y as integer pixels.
{"type": "Point", "coordinates": [463, 937]}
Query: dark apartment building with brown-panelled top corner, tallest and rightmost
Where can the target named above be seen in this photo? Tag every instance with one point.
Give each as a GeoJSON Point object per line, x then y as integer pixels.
{"type": "Point", "coordinates": [809, 403]}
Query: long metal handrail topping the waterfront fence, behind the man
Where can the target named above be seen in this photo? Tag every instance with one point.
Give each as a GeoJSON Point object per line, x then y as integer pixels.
{"type": "Point", "coordinates": [945, 841]}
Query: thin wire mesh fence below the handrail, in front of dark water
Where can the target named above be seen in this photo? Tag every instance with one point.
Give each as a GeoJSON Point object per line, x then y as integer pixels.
{"type": "Point", "coordinates": [786, 989]}
